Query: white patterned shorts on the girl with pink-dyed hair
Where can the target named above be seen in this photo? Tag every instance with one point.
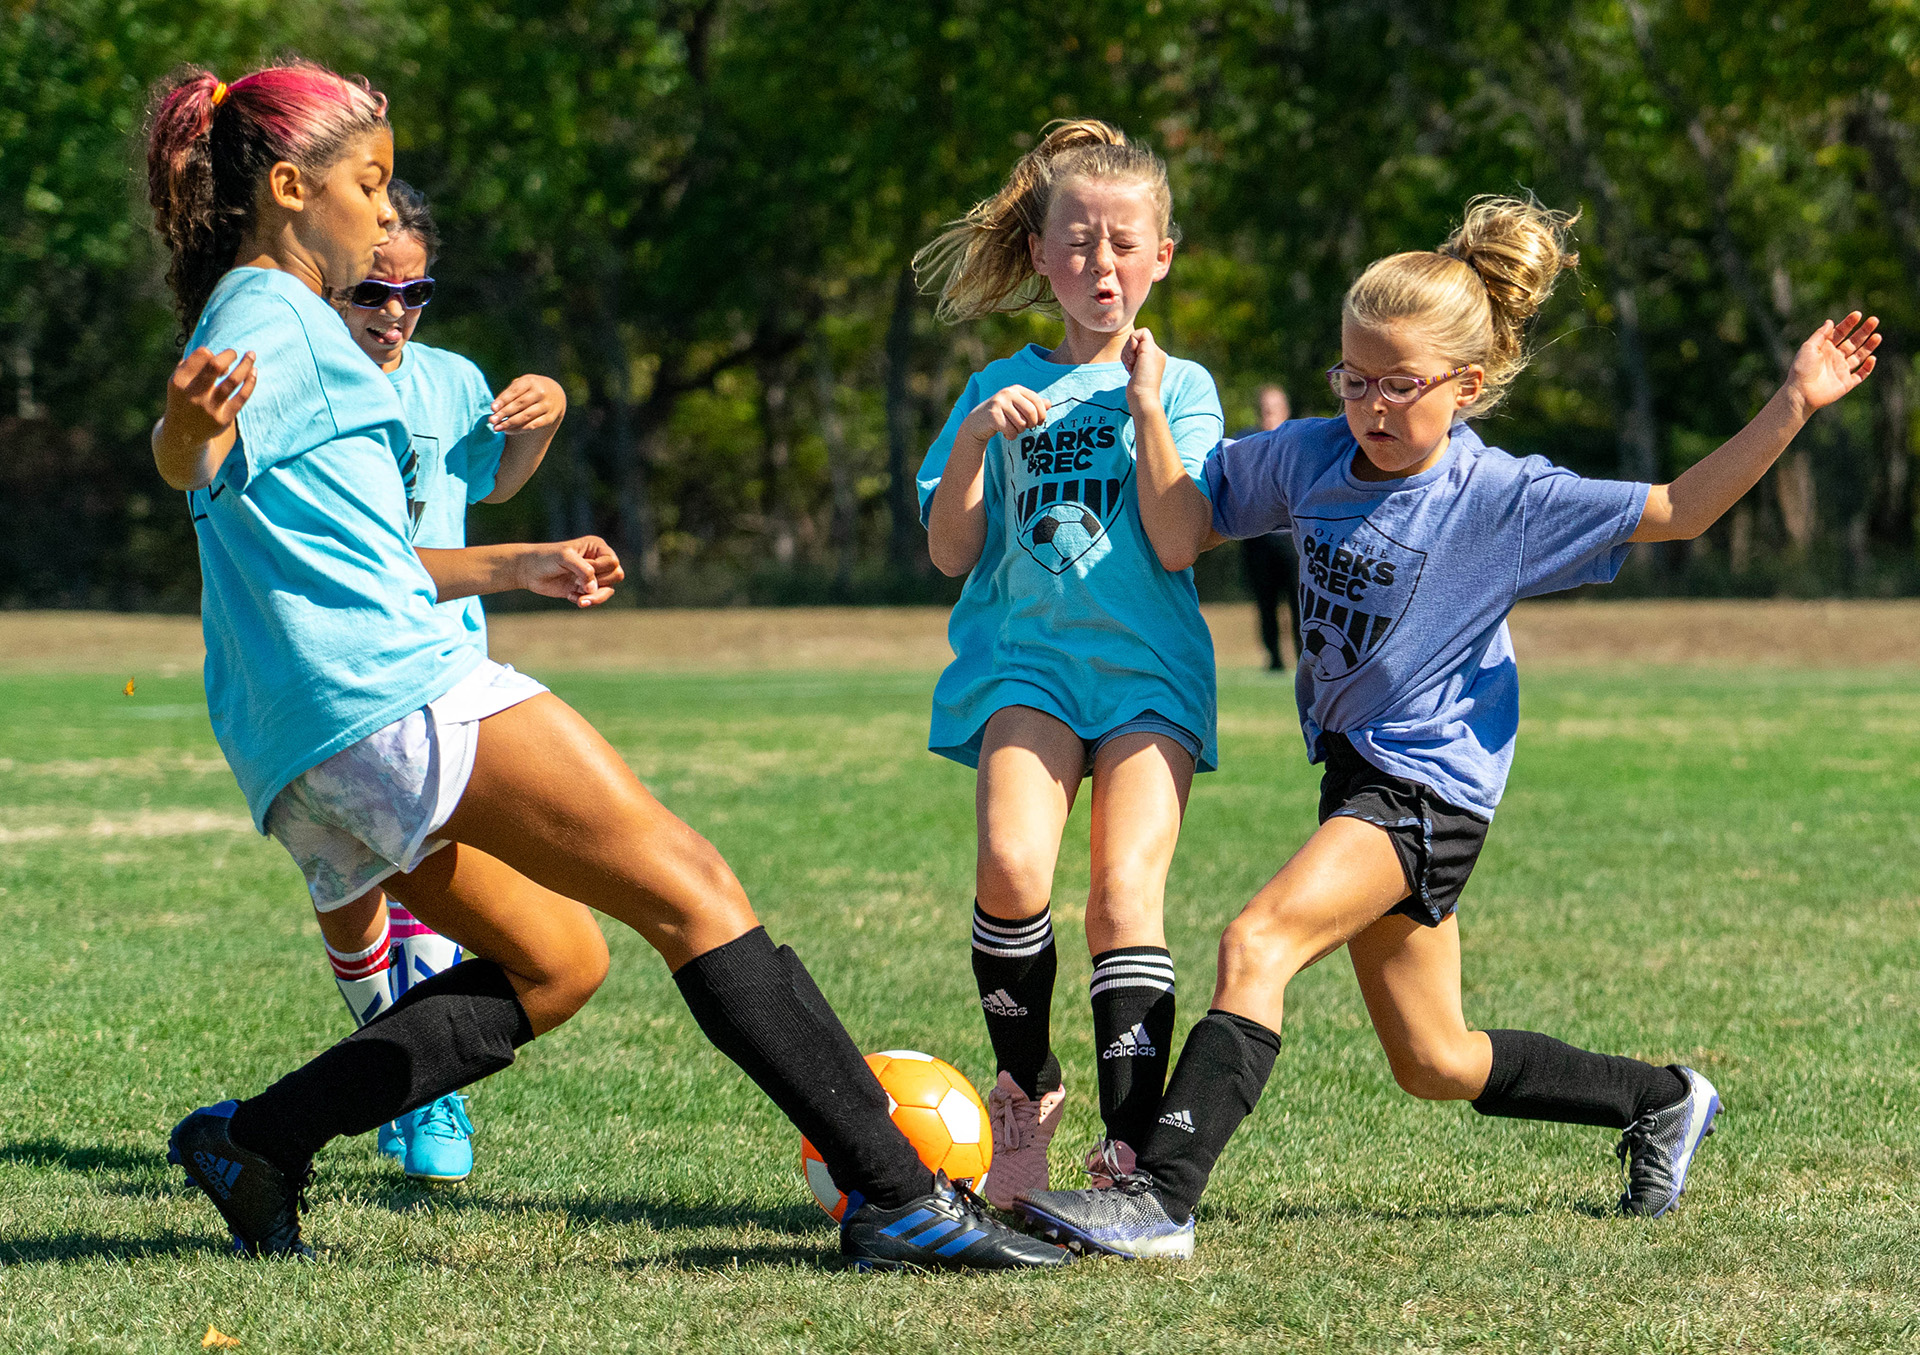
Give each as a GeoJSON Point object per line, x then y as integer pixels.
{"type": "Point", "coordinates": [372, 811]}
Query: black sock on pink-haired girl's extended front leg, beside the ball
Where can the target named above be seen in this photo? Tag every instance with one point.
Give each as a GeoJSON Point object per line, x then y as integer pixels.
{"type": "Point", "coordinates": [761, 1009]}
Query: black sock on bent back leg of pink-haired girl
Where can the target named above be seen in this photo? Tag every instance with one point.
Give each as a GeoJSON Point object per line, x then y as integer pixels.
{"type": "Point", "coordinates": [450, 1032]}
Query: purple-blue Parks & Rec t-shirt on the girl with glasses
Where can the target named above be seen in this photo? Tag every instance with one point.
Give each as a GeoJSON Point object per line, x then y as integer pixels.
{"type": "Point", "coordinates": [1406, 588]}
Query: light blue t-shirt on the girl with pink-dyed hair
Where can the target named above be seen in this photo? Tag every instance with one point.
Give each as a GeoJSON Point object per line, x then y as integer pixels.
{"type": "Point", "coordinates": [320, 619]}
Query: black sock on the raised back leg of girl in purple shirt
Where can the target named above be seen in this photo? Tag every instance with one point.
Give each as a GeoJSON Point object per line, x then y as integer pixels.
{"type": "Point", "coordinates": [1541, 1078]}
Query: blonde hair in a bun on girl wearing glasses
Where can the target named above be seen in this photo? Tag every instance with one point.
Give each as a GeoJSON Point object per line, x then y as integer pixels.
{"type": "Point", "coordinates": [1477, 293]}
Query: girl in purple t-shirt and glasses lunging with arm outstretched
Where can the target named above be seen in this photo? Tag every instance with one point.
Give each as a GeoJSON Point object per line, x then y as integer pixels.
{"type": "Point", "coordinates": [1416, 540]}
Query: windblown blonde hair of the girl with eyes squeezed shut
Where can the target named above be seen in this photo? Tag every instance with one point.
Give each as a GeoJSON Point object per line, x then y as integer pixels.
{"type": "Point", "coordinates": [982, 262]}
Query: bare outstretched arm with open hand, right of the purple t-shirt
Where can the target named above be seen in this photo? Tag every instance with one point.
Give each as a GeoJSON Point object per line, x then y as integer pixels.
{"type": "Point", "coordinates": [1829, 366]}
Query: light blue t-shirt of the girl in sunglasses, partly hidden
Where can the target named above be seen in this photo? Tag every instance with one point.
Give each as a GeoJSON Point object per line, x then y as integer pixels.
{"type": "Point", "coordinates": [456, 456]}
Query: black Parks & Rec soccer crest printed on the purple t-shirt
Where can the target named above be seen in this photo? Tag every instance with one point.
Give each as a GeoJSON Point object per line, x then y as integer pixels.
{"type": "Point", "coordinates": [1356, 584]}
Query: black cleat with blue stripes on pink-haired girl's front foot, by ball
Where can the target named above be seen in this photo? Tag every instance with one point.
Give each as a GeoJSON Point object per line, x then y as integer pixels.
{"type": "Point", "coordinates": [946, 1231]}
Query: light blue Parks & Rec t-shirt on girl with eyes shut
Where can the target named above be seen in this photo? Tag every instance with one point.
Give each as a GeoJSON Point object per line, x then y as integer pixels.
{"type": "Point", "coordinates": [1068, 607]}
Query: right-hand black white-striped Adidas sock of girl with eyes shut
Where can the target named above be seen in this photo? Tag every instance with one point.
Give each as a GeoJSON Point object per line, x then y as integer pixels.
{"type": "Point", "coordinates": [1132, 997]}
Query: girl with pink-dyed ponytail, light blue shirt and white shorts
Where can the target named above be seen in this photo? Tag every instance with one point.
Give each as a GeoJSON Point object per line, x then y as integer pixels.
{"type": "Point", "coordinates": [372, 738]}
